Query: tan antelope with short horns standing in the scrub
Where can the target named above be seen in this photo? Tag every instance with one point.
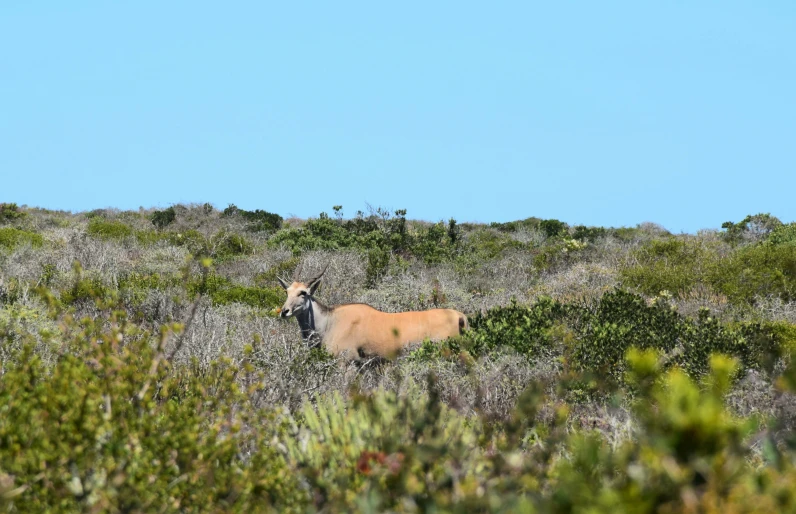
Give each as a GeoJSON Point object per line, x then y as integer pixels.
{"type": "Point", "coordinates": [357, 330]}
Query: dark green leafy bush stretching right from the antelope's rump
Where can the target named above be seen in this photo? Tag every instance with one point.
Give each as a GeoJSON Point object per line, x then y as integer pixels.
{"type": "Point", "coordinates": [595, 339]}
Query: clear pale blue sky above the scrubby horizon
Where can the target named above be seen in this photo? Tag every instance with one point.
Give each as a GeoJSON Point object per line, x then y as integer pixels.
{"type": "Point", "coordinates": [603, 113]}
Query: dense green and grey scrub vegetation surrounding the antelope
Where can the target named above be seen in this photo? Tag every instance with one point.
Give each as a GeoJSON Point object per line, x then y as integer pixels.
{"type": "Point", "coordinates": [142, 367]}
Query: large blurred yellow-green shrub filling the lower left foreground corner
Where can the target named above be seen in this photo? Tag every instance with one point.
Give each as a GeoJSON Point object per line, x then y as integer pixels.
{"type": "Point", "coordinates": [111, 427]}
